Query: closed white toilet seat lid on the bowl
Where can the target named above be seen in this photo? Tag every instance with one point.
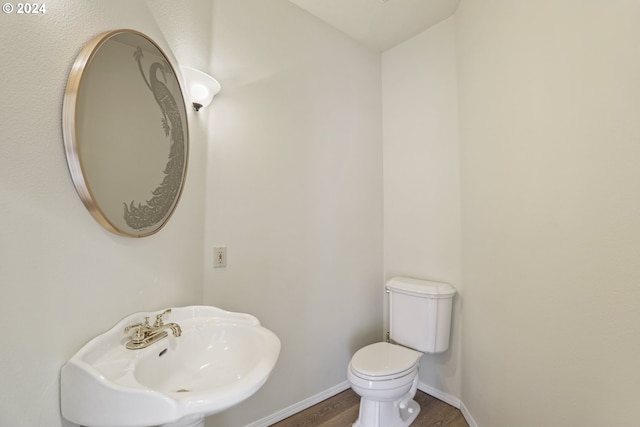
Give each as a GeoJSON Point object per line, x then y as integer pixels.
{"type": "Point", "coordinates": [383, 361]}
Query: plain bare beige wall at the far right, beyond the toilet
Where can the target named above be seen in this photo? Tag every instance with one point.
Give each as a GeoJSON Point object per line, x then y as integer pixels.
{"type": "Point", "coordinates": [549, 98]}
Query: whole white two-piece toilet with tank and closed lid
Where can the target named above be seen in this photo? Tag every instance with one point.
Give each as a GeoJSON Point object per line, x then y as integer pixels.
{"type": "Point", "coordinates": [385, 375]}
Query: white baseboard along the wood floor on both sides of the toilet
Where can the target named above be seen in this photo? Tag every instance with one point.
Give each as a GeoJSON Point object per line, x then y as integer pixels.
{"type": "Point", "coordinates": [307, 403]}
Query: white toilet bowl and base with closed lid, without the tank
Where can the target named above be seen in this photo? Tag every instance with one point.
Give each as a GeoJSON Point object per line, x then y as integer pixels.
{"type": "Point", "coordinates": [385, 376]}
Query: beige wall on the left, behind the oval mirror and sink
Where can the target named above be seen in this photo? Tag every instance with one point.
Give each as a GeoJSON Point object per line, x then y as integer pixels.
{"type": "Point", "coordinates": [63, 279]}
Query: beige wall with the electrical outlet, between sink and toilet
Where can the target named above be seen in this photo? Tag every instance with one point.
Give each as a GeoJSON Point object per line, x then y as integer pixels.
{"type": "Point", "coordinates": [294, 190]}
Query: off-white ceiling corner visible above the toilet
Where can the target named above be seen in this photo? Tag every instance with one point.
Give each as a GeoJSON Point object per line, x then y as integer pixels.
{"type": "Point", "coordinates": [380, 24]}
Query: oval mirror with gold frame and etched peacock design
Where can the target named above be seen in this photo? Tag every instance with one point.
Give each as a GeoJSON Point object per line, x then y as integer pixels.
{"type": "Point", "coordinates": [125, 132]}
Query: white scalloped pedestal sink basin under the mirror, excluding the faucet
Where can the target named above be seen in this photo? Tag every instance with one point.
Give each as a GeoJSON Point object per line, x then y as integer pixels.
{"type": "Point", "coordinates": [220, 359]}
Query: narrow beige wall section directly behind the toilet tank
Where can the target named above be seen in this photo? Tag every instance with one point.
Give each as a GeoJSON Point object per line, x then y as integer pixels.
{"type": "Point", "coordinates": [422, 178]}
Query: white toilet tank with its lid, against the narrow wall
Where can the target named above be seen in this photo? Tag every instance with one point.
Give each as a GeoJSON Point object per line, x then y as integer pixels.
{"type": "Point", "coordinates": [420, 313]}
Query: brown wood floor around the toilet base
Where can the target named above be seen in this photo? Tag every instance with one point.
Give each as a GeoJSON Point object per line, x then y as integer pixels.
{"type": "Point", "coordinates": [341, 410]}
